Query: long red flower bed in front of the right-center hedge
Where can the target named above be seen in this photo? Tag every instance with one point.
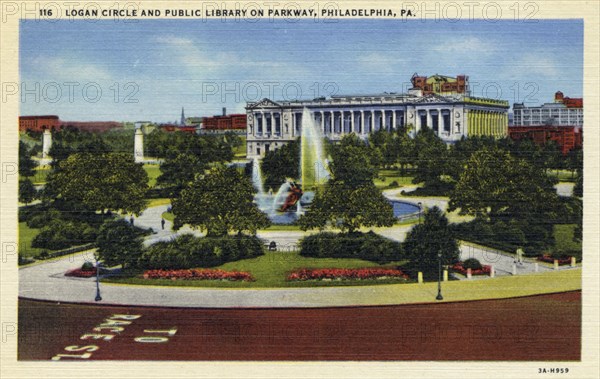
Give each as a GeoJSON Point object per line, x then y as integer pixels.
{"type": "Point", "coordinates": [345, 274]}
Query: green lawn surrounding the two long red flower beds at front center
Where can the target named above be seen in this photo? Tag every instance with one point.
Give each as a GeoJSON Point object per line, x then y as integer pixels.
{"type": "Point", "coordinates": [270, 270]}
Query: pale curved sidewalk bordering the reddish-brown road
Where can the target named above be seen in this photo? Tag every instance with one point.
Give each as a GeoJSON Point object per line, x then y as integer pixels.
{"type": "Point", "coordinates": [46, 281]}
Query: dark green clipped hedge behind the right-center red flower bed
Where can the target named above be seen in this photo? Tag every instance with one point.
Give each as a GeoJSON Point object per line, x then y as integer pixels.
{"type": "Point", "coordinates": [368, 246]}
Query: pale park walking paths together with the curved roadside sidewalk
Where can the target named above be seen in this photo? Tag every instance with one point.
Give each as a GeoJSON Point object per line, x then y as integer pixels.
{"type": "Point", "coordinates": [46, 281]}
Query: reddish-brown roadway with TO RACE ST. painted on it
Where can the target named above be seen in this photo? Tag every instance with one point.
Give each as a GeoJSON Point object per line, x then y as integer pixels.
{"type": "Point", "coordinates": [534, 328]}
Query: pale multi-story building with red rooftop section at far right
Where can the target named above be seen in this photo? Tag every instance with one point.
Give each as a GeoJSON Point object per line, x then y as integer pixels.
{"type": "Point", "coordinates": [564, 111]}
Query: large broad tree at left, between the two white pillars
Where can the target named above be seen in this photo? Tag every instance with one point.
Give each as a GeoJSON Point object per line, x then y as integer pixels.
{"type": "Point", "coordinates": [109, 181]}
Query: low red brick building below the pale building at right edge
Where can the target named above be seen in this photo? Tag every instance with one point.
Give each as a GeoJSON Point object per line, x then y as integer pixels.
{"type": "Point", "coordinates": [567, 137]}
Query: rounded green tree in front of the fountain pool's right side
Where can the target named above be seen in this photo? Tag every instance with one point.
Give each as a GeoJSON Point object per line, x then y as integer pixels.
{"type": "Point", "coordinates": [348, 207]}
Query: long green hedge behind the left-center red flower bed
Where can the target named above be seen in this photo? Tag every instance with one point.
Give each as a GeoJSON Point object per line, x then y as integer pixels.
{"type": "Point", "coordinates": [188, 251]}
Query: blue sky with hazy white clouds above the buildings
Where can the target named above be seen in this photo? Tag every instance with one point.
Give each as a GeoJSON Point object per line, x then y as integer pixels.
{"type": "Point", "coordinates": [204, 66]}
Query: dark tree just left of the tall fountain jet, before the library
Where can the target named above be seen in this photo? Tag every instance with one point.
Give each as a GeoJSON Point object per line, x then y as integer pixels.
{"type": "Point", "coordinates": [280, 164]}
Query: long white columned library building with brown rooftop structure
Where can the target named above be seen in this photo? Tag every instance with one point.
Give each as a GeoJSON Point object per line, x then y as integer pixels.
{"type": "Point", "coordinates": [452, 116]}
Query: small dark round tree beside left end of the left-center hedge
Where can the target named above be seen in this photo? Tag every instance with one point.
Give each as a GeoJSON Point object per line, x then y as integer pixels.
{"type": "Point", "coordinates": [119, 242]}
